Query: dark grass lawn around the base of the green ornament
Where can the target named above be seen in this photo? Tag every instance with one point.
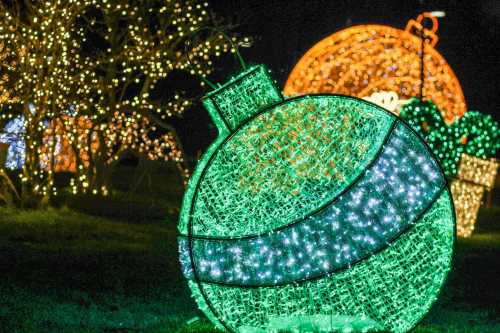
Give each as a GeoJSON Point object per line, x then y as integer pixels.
{"type": "Point", "coordinates": [63, 271]}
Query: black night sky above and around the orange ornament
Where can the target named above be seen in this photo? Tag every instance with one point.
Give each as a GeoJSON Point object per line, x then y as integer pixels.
{"type": "Point", "coordinates": [283, 31]}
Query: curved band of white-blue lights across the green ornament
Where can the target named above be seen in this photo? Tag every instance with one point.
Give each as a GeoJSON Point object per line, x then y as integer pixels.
{"type": "Point", "coordinates": [389, 198]}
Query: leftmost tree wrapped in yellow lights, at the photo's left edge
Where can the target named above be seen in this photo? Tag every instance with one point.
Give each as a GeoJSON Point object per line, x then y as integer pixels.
{"type": "Point", "coordinates": [48, 80]}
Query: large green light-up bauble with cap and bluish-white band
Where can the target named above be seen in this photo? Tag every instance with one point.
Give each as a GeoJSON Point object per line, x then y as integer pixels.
{"type": "Point", "coordinates": [322, 209]}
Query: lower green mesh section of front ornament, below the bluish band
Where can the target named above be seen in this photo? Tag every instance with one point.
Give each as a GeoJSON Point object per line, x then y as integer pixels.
{"type": "Point", "coordinates": [394, 288]}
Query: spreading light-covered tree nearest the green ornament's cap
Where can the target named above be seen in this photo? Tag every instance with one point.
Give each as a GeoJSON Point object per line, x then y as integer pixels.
{"type": "Point", "coordinates": [135, 47]}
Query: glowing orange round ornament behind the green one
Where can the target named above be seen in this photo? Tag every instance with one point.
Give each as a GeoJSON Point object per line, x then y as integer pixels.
{"type": "Point", "coordinates": [366, 59]}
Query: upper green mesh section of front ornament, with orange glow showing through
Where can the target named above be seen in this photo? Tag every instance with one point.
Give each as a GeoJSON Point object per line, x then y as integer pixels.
{"type": "Point", "coordinates": [286, 163]}
